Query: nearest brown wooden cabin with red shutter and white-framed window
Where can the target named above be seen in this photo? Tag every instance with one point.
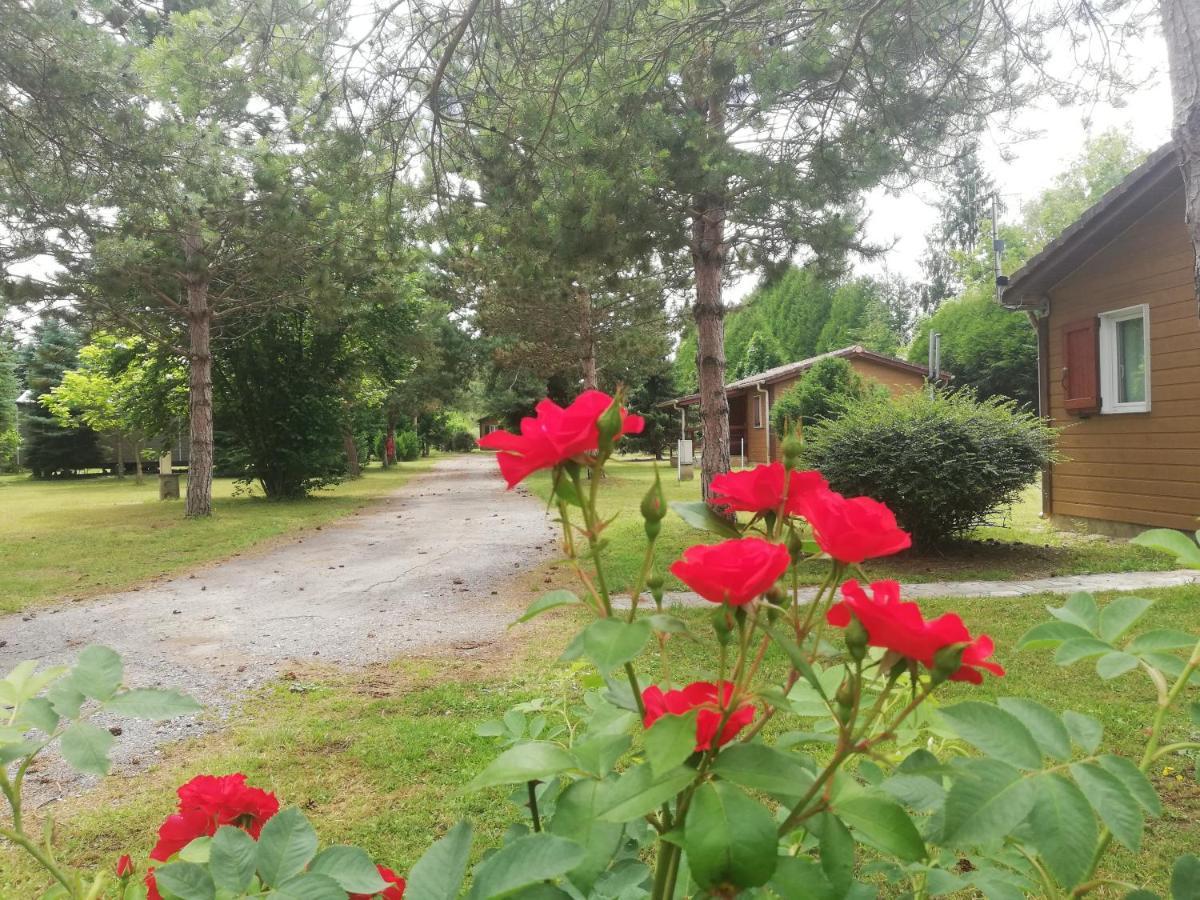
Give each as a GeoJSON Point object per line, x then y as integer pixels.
{"type": "Point", "coordinates": [1114, 304]}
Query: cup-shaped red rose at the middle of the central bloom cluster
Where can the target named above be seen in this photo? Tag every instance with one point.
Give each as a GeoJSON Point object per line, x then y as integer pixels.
{"type": "Point", "coordinates": [734, 572]}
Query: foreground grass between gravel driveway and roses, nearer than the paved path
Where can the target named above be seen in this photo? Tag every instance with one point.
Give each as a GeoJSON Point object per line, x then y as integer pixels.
{"type": "Point", "coordinates": [380, 757]}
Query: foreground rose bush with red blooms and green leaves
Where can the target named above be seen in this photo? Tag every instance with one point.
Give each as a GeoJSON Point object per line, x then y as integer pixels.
{"type": "Point", "coordinates": [814, 759]}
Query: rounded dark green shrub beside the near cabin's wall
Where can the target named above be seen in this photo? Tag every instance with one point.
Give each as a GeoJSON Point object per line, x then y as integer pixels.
{"type": "Point", "coordinates": [945, 464]}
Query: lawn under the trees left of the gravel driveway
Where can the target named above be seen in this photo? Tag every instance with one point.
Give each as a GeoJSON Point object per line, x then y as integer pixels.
{"type": "Point", "coordinates": [80, 538]}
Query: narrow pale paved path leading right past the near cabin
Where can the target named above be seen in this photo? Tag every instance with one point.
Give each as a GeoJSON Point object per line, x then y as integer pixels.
{"type": "Point", "coordinates": [1058, 585]}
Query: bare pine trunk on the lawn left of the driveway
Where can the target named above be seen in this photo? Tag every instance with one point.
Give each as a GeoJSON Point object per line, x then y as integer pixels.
{"type": "Point", "coordinates": [200, 382]}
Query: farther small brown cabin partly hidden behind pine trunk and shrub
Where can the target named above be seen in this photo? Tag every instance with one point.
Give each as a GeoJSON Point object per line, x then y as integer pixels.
{"type": "Point", "coordinates": [751, 399]}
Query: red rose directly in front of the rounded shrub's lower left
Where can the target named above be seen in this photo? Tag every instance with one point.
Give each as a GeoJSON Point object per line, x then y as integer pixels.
{"type": "Point", "coordinates": [855, 529]}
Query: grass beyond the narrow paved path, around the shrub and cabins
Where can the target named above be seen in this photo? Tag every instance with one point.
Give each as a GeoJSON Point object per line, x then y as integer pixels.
{"type": "Point", "coordinates": [1025, 548]}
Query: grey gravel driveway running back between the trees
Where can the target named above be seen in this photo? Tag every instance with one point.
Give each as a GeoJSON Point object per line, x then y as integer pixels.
{"type": "Point", "coordinates": [424, 567]}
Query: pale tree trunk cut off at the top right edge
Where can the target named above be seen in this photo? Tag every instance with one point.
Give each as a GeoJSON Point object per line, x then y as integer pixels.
{"type": "Point", "coordinates": [1181, 26]}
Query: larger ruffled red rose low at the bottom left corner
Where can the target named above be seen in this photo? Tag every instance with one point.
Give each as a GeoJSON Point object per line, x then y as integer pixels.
{"type": "Point", "coordinates": [208, 802]}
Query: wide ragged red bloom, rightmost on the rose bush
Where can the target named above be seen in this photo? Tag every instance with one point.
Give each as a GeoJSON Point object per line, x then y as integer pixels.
{"type": "Point", "coordinates": [899, 627]}
